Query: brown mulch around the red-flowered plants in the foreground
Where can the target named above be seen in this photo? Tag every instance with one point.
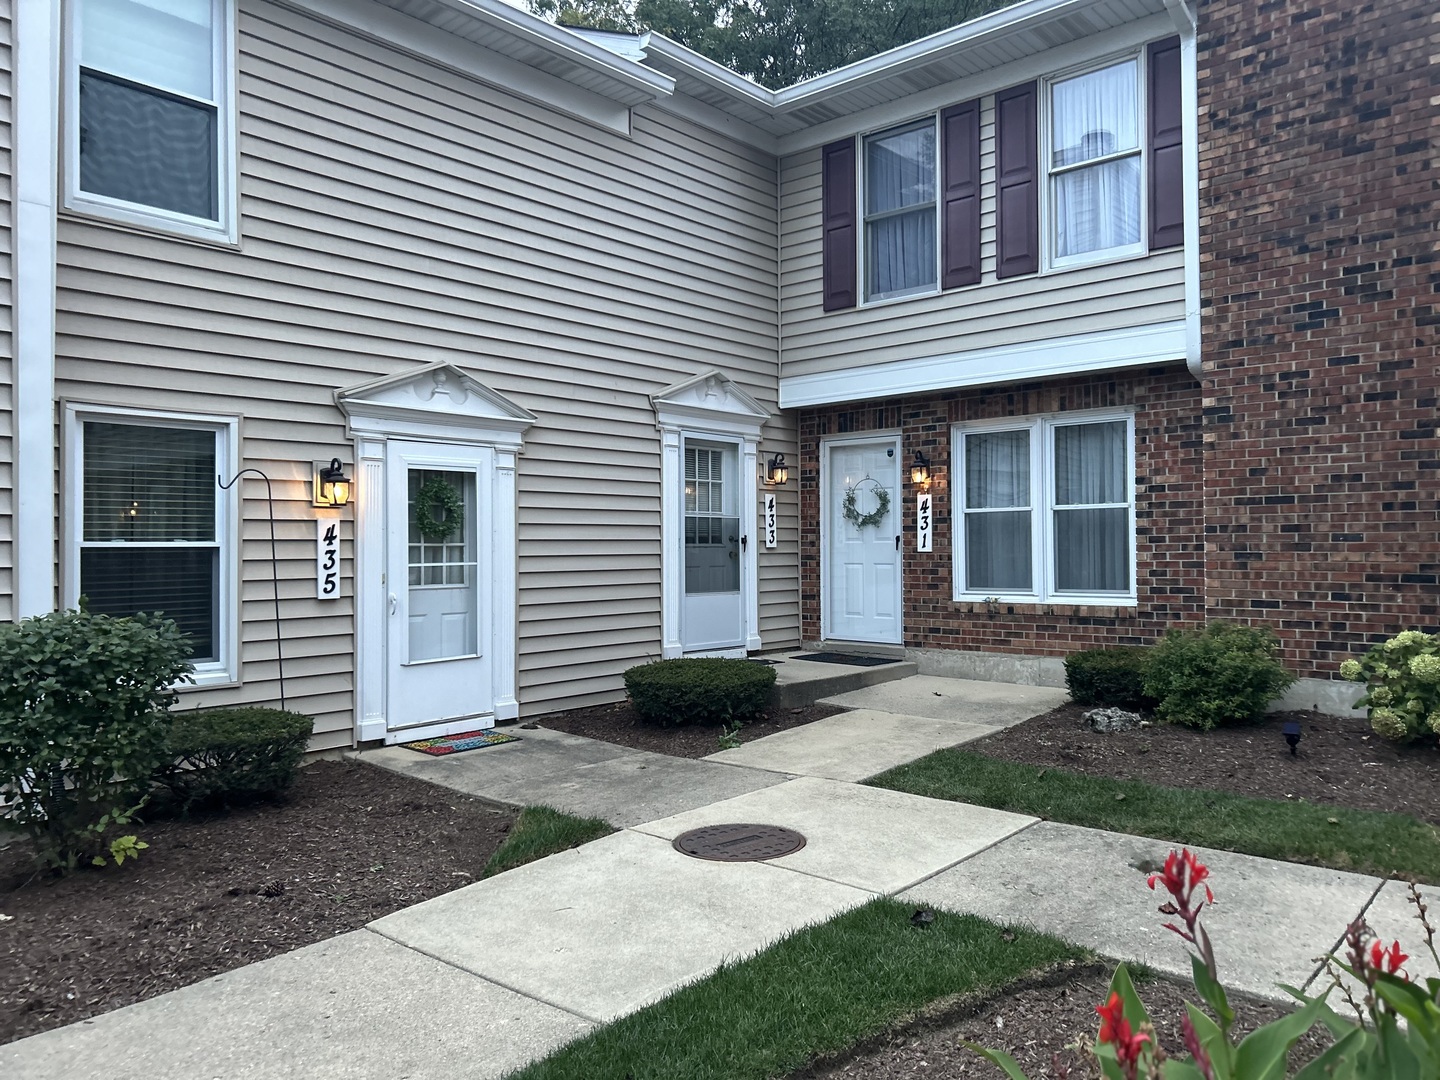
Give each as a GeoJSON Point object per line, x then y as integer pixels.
{"type": "Point", "coordinates": [1032, 1023]}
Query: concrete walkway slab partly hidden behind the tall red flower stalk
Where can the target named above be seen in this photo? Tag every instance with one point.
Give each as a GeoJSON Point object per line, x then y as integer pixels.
{"type": "Point", "coordinates": [1269, 925]}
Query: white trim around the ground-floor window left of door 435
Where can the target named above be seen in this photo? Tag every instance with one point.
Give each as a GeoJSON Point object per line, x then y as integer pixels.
{"type": "Point", "coordinates": [224, 672]}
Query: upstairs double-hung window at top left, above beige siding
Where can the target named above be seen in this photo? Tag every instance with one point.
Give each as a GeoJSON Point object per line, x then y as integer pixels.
{"type": "Point", "coordinates": [149, 113]}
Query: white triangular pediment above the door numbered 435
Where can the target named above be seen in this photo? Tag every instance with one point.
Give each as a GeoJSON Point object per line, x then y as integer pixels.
{"type": "Point", "coordinates": [436, 401]}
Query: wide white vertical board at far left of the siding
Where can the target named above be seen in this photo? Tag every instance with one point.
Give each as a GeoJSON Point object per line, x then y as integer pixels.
{"type": "Point", "coordinates": [37, 125]}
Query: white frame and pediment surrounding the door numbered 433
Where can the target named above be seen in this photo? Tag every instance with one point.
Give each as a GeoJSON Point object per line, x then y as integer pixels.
{"type": "Point", "coordinates": [708, 407]}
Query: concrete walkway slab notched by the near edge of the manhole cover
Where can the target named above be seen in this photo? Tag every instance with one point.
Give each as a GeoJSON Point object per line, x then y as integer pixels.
{"type": "Point", "coordinates": [616, 925]}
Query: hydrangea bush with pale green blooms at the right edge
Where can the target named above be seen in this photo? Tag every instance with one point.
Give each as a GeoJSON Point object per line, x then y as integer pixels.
{"type": "Point", "coordinates": [1402, 682]}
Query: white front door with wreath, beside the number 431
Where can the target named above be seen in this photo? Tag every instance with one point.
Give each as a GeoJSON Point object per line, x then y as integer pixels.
{"type": "Point", "coordinates": [862, 570]}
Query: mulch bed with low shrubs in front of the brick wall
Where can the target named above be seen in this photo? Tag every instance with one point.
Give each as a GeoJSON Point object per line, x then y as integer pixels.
{"type": "Point", "coordinates": [1341, 761]}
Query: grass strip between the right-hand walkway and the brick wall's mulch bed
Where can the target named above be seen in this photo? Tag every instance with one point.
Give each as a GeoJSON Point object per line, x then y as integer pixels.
{"type": "Point", "coordinates": [1363, 842]}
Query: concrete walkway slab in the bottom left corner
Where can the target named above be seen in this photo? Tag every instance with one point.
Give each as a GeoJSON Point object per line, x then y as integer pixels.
{"type": "Point", "coordinates": [358, 1007]}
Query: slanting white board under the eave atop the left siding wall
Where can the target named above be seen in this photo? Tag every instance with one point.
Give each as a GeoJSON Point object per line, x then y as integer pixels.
{"type": "Point", "coordinates": [473, 61]}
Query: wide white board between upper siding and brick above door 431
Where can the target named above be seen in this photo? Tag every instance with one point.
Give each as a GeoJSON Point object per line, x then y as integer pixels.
{"type": "Point", "coordinates": [1102, 352]}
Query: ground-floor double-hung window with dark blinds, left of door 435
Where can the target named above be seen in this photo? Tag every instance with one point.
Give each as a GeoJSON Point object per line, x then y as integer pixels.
{"type": "Point", "coordinates": [149, 526]}
